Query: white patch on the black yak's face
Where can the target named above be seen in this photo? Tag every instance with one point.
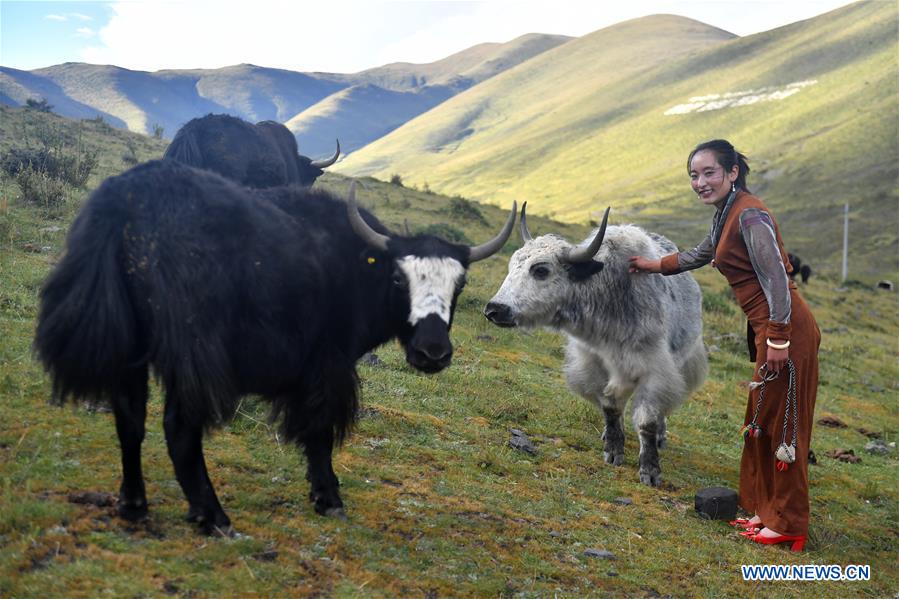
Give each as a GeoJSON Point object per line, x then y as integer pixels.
{"type": "Point", "coordinates": [432, 282]}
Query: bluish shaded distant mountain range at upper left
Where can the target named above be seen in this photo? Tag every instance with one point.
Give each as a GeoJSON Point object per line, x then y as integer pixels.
{"type": "Point", "coordinates": [142, 101]}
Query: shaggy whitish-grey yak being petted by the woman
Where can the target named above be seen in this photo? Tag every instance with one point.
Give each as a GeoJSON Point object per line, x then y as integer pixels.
{"type": "Point", "coordinates": [627, 335]}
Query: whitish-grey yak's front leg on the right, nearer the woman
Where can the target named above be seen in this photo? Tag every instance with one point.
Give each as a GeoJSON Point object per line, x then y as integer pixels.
{"type": "Point", "coordinates": [655, 398]}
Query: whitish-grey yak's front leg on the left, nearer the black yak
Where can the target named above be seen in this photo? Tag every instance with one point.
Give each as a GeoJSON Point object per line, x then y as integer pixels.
{"type": "Point", "coordinates": [587, 376]}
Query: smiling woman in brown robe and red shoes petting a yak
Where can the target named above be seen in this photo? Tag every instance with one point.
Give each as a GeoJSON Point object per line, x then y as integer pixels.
{"type": "Point", "coordinates": [744, 244]}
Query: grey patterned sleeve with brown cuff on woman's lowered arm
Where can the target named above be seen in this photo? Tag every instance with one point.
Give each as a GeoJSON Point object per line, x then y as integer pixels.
{"type": "Point", "coordinates": [761, 242]}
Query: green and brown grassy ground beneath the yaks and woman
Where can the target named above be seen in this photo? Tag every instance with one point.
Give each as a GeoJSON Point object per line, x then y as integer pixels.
{"type": "Point", "coordinates": [439, 504]}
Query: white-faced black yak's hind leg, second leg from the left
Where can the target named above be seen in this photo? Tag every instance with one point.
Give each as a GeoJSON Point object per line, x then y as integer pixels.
{"type": "Point", "coordinates": [185, 444]}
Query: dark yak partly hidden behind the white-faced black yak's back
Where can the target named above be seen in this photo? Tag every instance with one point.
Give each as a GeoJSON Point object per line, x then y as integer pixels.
{"type": "Point", "coordinates": [260, 155]}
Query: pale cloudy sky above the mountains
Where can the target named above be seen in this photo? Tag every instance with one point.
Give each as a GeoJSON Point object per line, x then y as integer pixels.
{"type": "Point", "coordinates": [342, 36]}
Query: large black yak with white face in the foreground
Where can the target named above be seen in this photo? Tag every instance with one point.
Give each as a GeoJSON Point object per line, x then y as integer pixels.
{"type": "Point", "coordinates": [224, 291]}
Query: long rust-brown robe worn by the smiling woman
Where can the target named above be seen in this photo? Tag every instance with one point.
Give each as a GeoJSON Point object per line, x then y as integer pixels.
{"type": "Point", "coordinates": [779, 498]}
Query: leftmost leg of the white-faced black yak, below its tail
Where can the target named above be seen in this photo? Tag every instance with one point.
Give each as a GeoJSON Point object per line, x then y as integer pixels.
{"type": "Point", "coordinates": [130, 408]}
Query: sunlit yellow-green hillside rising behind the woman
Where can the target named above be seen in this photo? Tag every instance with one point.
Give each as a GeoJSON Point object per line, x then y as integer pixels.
{"type": "Point", "coordinates": [583, 126]}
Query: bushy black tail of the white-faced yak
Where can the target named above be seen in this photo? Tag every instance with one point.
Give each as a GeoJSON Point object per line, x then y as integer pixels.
{"type": "Point", "coordinates": [87, 332]}
